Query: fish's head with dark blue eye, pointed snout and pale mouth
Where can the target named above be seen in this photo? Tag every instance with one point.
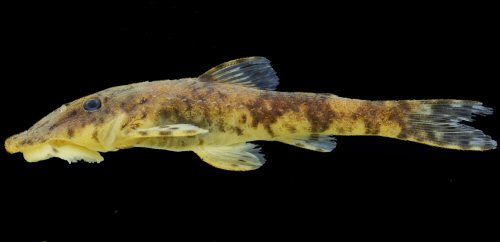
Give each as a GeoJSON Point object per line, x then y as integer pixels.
{"type": "Point", "coordinates": [78, 130]}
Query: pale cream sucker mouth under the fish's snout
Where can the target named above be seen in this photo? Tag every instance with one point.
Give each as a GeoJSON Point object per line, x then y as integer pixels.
{"type": "Point", "coordinates": [61, 149]}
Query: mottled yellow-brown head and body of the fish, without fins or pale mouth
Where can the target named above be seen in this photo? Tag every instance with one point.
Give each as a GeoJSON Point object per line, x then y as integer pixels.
{"type": "Point", "coordinates": [232, 114]}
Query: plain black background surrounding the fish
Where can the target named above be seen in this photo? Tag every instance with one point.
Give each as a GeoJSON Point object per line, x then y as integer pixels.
{"type": "Point", "coordinates": [367, 186]}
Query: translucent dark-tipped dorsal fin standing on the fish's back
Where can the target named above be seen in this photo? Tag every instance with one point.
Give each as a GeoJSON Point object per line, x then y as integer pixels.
{"type": "Point", "coordinates": [250, 72]}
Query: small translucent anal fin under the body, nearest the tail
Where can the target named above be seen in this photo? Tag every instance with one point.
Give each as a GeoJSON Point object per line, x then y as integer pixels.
{"type": "Point", "coordinates": [313, 142]}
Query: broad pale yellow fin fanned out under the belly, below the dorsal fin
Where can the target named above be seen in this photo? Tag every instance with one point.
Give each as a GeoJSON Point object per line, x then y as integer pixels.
{"type": "Point", "coordinates": [240, 157]}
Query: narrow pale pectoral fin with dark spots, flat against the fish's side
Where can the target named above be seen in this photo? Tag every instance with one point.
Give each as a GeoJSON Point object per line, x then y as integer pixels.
{"type": "Point", "coordinates": [173, 130]}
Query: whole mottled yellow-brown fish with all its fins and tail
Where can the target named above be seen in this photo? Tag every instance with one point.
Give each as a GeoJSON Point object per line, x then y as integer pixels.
{"type": "Point", "coordinates": [218, 115]}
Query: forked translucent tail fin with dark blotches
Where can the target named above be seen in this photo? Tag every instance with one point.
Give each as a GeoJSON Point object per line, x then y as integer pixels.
{"type": "Point", "coordinates": [440, 123]}
